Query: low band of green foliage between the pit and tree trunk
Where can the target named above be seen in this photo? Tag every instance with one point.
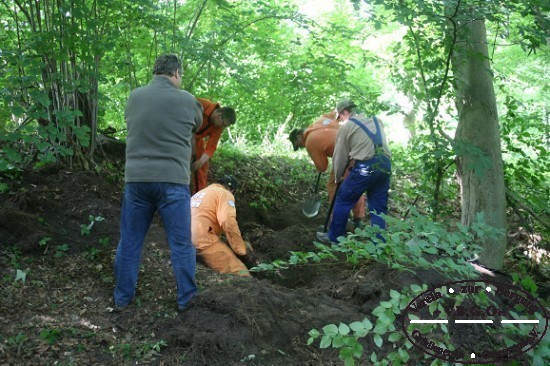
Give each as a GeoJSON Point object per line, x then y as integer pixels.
{"type": "Point", "coordinates": [416, 242]}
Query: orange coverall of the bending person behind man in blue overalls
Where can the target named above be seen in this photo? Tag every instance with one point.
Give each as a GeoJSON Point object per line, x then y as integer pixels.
{"type": "Point", "coordinates": [320, 139]}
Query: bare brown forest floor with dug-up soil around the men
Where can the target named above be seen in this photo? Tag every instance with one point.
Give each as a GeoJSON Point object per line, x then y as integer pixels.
{"type": "Point", "coordinates": [59, 230]}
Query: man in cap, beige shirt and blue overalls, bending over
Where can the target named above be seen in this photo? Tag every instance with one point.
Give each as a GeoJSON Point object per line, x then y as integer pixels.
{"type": "Point", "coordinates": [362, 148]}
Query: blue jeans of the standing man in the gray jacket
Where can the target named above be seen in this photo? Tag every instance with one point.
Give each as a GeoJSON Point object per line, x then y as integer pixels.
{"type": "Point", "coordinates": [141, 201]}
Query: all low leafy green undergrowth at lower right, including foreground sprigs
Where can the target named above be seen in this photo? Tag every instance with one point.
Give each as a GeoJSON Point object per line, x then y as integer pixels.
{"type": "Point", "coordinates": [407, 245]}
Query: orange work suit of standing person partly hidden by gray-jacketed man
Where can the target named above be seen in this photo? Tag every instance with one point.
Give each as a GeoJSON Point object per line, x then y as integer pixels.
{"type": "Point", "coordinates": [206, 142]}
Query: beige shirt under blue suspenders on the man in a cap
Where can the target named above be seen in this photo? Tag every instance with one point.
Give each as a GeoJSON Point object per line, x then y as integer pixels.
{"type": "Point", "coordinates": [353, 142]}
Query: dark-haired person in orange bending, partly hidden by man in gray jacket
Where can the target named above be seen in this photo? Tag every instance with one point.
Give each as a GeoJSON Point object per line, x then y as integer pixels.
{"type": "Point", "coordinates": [215, 119]}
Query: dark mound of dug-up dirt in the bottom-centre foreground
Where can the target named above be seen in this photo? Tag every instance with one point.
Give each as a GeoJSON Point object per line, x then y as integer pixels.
{"type": "Point", "coordinates": [251, 319]}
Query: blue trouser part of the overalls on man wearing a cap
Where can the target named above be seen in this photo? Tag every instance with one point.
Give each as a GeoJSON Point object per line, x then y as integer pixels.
{"type": "Point", "coordinates": [372, 176]}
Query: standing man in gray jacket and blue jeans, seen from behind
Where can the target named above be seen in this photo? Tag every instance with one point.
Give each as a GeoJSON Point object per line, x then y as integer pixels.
{"type": "Point", "coordinates": [161, 119]}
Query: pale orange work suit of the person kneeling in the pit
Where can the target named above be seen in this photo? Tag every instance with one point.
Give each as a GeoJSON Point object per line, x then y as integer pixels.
{"type": "Point", "coordinates": [212, 214]}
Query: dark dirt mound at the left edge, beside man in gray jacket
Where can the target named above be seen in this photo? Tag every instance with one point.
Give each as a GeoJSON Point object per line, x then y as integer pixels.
{"type": "Point", "coordinates": [54, 203]}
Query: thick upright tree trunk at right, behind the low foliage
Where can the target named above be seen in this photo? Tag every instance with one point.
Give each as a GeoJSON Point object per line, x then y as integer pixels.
{"type": "Point", "coordinates": [482, 190]}
